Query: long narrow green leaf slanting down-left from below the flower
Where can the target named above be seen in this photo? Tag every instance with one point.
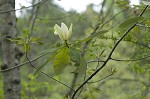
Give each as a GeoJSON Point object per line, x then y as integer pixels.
{"type": "Point", "coordinates": [48, 60]}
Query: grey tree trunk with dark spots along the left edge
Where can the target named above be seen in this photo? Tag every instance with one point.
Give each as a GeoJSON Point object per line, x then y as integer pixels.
{"type": "Point", "coordinates": [11, 54]}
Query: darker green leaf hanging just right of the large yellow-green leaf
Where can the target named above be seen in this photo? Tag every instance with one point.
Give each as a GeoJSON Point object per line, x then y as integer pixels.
{"type": "Point", "coordinates": [74, 56]}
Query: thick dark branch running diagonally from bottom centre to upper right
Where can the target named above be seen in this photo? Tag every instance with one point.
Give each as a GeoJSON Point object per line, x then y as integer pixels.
{"type": "Point", "coordinates": [108, 58]}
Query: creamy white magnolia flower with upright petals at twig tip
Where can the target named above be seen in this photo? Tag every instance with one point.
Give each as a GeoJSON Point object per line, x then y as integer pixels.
{"type": "Point", "coordinates": [63, 31]}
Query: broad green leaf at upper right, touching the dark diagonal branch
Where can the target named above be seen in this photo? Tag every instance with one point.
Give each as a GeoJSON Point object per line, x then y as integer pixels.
{"type": "Point", "coordinates": [129, 22]}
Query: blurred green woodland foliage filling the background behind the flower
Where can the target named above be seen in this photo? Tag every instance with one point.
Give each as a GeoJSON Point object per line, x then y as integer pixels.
{"type": "Point", "coordinates": [100, 30]}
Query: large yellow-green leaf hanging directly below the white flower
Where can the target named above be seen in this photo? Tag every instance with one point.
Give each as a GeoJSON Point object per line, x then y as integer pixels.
{"type": "Point", "coordinates": [61, 60]}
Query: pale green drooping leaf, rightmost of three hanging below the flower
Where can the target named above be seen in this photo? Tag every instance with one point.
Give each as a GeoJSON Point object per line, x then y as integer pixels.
{"type": "Point", "coordinates": [83, 66]}
